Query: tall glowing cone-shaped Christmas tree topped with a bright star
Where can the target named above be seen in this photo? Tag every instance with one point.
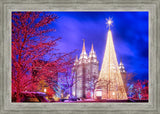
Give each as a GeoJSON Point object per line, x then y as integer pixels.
{"type": "Point", "coordinates": [110, 81]}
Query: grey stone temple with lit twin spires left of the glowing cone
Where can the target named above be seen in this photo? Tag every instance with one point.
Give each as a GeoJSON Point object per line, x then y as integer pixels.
{"type": "Point", "coordinates": [86, 72]}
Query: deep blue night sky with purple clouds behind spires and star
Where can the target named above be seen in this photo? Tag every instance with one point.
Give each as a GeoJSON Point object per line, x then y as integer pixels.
{"type": "Point", "coordinates": [129, 30]}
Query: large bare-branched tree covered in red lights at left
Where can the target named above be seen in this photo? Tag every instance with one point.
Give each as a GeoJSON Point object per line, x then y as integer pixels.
{"type": "Point", "coordinates": [31, 43]}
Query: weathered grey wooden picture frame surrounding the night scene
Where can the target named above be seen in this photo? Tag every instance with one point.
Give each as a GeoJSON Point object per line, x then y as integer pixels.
{"type": "Point", "coordinates": [152, 6]}
